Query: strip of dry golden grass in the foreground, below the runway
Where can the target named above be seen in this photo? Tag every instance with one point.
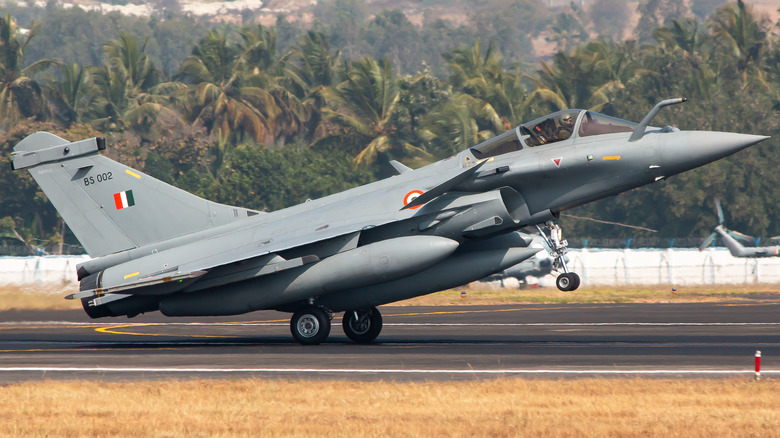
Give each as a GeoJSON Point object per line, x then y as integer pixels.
{"type": "Point", "coordinates": [502, 407]}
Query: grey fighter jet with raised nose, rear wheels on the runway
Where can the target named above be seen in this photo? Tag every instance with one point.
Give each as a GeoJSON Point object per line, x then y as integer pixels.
{"type": "Point", "coordinates": [156, 247]}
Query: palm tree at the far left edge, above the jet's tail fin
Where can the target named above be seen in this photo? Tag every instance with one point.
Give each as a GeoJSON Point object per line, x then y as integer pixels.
{"type": "Point", "coordinates": [21, 95]}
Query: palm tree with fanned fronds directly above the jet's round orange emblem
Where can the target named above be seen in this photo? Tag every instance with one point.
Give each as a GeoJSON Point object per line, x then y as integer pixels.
{"type": "Point", "coordinates": [366, 106]}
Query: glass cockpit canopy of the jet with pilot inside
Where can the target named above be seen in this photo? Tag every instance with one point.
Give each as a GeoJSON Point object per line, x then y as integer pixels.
{"type": "Point", "coordinates": [552, 128]}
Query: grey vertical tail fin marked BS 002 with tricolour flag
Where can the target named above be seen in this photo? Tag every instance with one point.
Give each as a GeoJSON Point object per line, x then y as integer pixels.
{"type": "Point", "coordinates": [108, 206]}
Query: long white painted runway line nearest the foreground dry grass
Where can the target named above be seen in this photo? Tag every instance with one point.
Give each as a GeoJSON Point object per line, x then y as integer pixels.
{"type": "Point", "coordinates": [379, 371]}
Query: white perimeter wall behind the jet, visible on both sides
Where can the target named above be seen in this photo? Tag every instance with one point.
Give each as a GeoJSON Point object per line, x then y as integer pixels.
{"type": "Point", "coordinates": [596, 267]}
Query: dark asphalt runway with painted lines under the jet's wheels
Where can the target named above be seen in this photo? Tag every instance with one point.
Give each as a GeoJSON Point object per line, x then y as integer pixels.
{"type": "Point", "coordinates": [417, 343]}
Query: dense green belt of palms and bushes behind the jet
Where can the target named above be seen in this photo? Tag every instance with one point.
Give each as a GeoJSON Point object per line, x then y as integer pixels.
{"type": "Point", "coordinates": [268, 116]}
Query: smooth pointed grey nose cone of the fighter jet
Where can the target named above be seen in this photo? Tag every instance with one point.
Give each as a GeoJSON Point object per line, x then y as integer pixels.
{"type": "Point", "coordinates": [687, 150]}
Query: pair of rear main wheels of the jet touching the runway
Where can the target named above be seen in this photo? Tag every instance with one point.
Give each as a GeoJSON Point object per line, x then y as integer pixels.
{"type": "Point", "coordinates": [311, 325]}
